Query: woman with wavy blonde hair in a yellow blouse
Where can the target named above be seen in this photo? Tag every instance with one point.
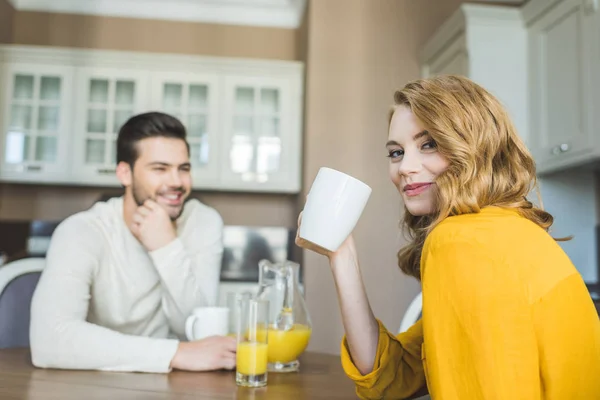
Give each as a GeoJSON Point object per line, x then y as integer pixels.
{"type": "Point", "coordinates": [505, 313]}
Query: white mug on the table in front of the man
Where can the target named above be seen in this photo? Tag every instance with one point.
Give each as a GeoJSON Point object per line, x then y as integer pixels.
{"type": "Point", "coordinates": [207, 321]}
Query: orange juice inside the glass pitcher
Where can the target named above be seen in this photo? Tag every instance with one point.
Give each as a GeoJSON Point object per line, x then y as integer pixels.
{"type": "Point", "coordinates": [286, 346]}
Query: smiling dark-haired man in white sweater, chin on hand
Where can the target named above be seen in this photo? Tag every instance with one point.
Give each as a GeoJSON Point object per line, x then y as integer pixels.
{"type": "Point", "coordinates": [122, 277]}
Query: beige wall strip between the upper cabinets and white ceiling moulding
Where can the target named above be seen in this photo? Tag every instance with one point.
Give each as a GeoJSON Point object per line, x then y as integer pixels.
{"type": "Point", "coordinates": [96, 32]}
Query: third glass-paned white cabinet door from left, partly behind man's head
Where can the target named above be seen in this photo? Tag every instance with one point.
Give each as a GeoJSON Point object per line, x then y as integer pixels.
{"type": "Point", "coordinates": [193, 98]}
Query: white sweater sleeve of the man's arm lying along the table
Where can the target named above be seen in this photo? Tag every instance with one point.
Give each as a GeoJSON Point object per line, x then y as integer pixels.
{"type": "Point", "coordinates": [60, 336]}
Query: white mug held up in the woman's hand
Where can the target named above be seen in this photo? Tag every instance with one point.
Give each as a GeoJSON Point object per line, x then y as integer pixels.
{"type": "Point", "coordinates": [333, 206]}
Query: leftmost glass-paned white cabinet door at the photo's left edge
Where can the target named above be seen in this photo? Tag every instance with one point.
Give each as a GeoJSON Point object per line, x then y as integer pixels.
{"type": "Point", "coordinates": [36, 124]}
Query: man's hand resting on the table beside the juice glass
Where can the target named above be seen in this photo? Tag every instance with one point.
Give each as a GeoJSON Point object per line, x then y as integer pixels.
{"type": "Point", "coordinates": [211, 353]}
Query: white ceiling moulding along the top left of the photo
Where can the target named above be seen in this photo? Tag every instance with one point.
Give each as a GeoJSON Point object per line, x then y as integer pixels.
{"type": "Point", "coordinates": [270, 13]}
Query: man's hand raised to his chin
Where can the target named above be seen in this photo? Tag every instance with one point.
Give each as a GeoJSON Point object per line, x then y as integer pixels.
{"type": "Point", "coordinates": [152, 226]}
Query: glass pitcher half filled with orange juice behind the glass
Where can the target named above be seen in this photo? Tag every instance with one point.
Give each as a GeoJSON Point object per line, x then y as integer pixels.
{"type": "Point", "coordinates": [289, 323]}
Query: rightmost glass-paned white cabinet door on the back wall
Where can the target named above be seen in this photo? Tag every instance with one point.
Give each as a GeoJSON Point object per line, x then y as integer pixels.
{"type": "Point", "coordinates": [261, 145]}
